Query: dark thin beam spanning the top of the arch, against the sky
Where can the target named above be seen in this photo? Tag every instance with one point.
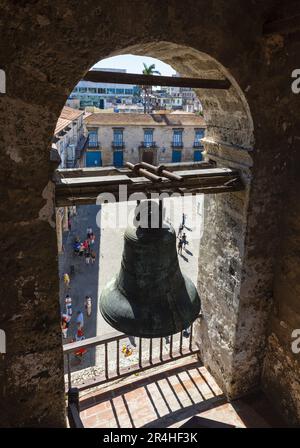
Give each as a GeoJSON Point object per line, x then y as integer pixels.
{"type": "Point", "coordinates": [150, 80]}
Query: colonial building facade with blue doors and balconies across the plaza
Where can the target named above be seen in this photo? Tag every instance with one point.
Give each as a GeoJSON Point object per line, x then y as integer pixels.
{"type": "Point", "coordinates": [114, 139]}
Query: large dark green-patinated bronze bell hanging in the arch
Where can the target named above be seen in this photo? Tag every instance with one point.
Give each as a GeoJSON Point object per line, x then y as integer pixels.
{"type": "Point", "coordinates": [150, 297]}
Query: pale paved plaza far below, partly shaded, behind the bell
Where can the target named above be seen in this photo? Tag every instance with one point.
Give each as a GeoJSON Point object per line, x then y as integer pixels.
{"type": "Point", "coordinates": [90, 279]}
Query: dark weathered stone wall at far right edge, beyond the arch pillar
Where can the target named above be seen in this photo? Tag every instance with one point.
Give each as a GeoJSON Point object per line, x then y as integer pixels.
{"type": "Point", "coordinates": [281, 371]}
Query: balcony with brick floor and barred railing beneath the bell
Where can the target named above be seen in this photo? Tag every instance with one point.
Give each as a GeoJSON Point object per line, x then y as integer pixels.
{"type": "Point", "coordinates": [158, 386]}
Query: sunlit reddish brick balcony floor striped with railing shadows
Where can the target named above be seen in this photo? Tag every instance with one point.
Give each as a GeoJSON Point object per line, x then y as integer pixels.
{"type": "Point", "coordinates": [180, 395]}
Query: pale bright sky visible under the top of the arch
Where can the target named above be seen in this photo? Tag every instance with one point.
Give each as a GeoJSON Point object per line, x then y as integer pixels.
{"type": "Point", "coordinates": [134, 64]}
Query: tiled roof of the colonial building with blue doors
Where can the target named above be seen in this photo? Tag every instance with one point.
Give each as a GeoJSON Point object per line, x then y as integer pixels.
{"type": "Point", "coordinates": [120, 119]}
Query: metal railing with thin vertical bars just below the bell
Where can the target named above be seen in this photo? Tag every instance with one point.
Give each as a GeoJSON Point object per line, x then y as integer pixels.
{"type": "Point", "coordinates": [147, 357]}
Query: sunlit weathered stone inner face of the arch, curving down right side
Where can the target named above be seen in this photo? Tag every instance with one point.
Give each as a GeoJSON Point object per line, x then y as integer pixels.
{"type": "Point", "coordinates": [229, 142]}
